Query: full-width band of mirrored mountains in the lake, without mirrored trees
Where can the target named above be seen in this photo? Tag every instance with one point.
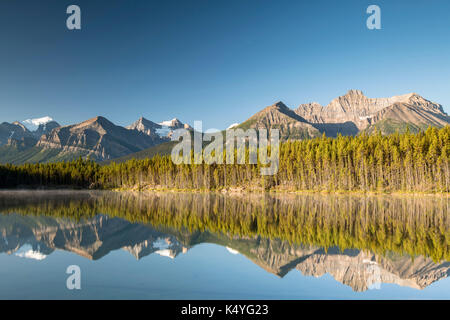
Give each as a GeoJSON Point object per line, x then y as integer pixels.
{"type": "Point", "coordinates": [96, 237]}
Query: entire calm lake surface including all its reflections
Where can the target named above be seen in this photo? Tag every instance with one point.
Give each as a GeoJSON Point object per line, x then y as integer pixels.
{"type": "Point", "coordinates": [210, 246]}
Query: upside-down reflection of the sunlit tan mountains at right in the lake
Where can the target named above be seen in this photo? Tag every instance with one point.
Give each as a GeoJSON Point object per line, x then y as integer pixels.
{"type": "Point", "coordinates": [359, 269]}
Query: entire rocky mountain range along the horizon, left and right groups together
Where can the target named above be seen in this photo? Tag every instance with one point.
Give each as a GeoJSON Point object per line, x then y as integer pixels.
{"type": "Point", "coordinates": [101, 140]}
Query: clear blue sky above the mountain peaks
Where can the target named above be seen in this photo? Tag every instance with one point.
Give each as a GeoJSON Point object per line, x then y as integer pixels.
{"type": "Point", "coordinates": [216, 61]}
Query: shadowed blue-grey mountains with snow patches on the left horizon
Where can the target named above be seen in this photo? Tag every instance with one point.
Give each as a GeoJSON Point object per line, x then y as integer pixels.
{"type": "Point", "coordinates": [96, 138]}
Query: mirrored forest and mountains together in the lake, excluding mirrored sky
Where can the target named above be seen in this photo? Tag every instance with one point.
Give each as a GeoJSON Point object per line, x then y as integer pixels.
{"type": "Point", "coordinates": [360, 241]}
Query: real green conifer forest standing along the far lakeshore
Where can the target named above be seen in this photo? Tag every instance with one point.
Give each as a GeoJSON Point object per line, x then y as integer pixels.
{"type": "Point", "coordinates": [368, 163]}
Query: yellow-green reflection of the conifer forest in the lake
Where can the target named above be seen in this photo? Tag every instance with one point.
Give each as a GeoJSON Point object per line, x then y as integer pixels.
{"type": "Point", "coordinates": [404, 225]}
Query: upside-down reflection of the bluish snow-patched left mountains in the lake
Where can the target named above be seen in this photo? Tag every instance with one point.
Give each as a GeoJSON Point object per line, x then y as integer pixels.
{"type": "Point", "coordinates": [92, 239]}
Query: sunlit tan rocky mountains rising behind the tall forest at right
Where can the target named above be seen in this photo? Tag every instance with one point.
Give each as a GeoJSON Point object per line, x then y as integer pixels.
{"type": "Point", "coordinates": [350, 114]}
